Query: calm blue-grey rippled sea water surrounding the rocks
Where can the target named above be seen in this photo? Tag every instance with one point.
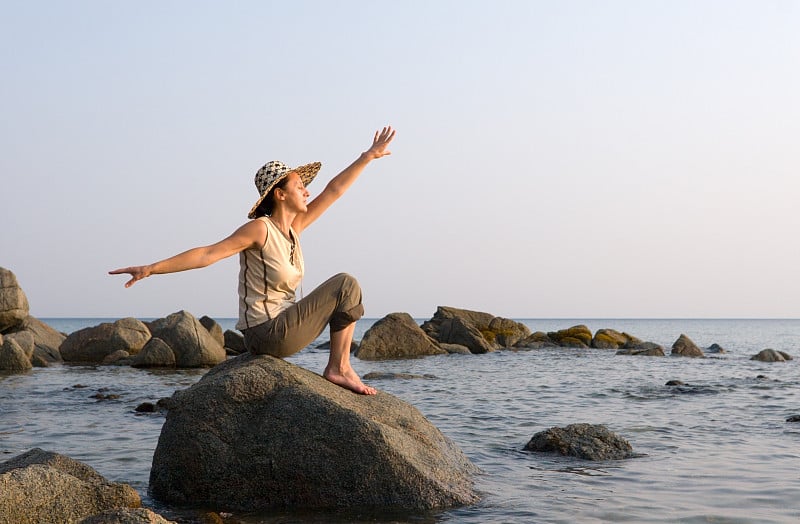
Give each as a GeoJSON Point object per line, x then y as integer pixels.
{"type": "Point", "coordinates": [716, 450]}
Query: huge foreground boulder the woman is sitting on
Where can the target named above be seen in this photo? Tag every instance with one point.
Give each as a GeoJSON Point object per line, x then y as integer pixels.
{"type": "Point", "coordinates": [258, 432]}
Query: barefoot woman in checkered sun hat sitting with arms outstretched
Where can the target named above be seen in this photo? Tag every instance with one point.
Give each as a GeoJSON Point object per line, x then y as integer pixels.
{"type": "Point", "coordinates": [271, 267]}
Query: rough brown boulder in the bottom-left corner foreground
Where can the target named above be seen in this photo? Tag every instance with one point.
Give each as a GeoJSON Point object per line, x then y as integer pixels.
{"type": "Point", "coordinates": [39, 486]}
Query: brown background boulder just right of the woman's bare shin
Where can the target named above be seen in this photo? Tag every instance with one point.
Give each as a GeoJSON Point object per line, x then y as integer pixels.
{"type": "Point", "coordinates": [396, 335]}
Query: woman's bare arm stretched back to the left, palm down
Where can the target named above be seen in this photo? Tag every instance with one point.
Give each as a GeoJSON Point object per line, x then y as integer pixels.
{"type": "Point", "coordinates": [251, 234]}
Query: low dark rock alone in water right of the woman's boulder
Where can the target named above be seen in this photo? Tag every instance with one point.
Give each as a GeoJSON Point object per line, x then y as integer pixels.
{"type": "Point", "coordinates": [586, 441]}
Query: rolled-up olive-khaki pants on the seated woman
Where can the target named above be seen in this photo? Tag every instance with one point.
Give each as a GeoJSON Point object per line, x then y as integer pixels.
{"type": "Point", "coordinates": [336, 302]}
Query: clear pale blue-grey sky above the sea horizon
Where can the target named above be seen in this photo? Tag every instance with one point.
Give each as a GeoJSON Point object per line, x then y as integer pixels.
{"type": "Point", "coordinates": [556, 159]}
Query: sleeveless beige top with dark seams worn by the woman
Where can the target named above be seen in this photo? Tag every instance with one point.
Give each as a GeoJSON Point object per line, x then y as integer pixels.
{"type": "Point", "coordinates": [268, 277]}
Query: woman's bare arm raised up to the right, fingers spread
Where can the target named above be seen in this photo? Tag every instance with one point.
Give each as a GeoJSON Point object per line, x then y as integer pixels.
{"type": "Point", "coordinates": [341, 182]}
